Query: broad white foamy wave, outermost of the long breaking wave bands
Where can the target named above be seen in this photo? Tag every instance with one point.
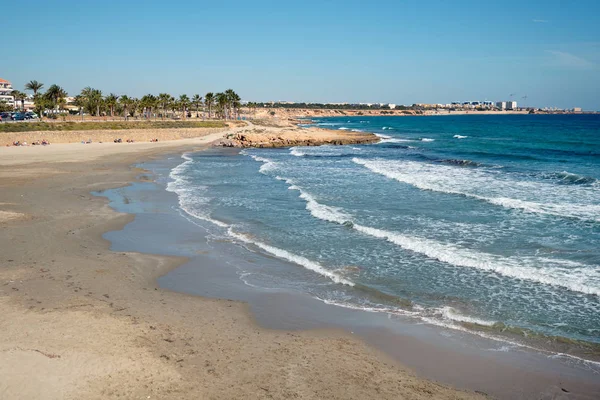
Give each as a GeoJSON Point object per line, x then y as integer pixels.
{"type": "Point", "coordinates": [493, 188]}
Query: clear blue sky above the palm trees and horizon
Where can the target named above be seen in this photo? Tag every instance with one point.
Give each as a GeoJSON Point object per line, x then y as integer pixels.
{"type": "Point", "coordinates": [331, 51]}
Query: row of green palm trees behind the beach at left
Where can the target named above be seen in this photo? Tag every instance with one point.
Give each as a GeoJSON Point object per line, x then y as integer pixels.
{"type": "Point", "coordinates": [225, 105]}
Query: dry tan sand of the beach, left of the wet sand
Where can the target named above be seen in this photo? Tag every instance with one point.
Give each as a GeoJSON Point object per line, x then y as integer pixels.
{"type": "Point", "coordinates": [82, 322]}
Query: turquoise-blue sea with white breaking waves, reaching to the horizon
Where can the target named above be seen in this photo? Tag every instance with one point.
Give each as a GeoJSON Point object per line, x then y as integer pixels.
{"type": "Point", "coordinates": [471, 222]}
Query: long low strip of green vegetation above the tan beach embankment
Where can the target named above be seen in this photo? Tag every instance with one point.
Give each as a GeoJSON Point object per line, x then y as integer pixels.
{"type": "Point", "coordinates": [111, 125]}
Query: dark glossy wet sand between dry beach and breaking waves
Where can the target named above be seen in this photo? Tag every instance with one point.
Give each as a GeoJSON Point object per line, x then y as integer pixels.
{"type": "Point", "coordinates": [218, 268]}
